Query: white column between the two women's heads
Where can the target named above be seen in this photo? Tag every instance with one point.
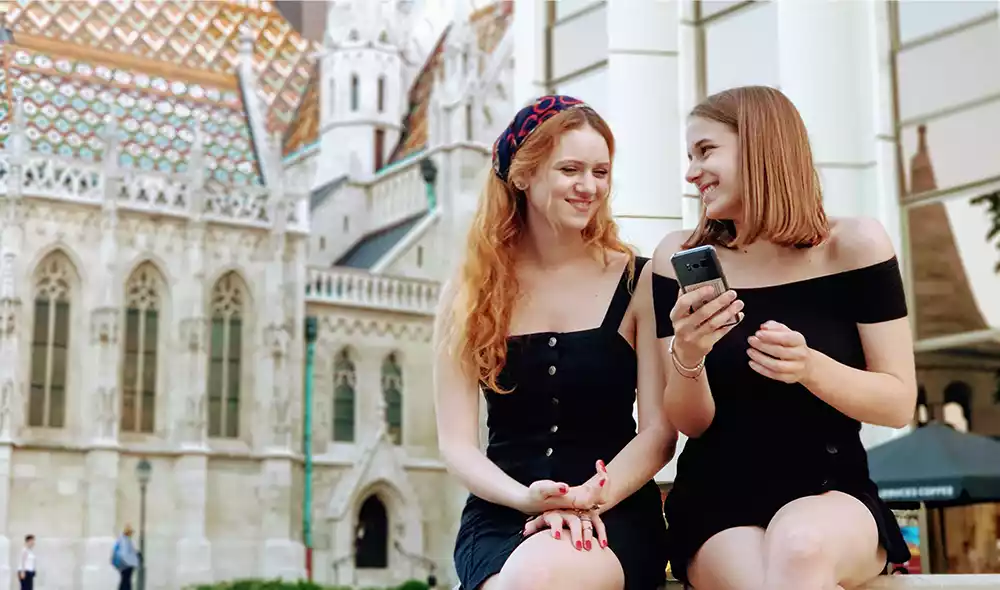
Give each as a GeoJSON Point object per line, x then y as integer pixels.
{"type": "Point", "coordinates": [644, 114]}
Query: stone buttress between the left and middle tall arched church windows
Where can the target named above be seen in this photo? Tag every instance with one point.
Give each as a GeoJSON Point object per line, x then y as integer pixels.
{"type": "Point", "coordinates": [101, 413]}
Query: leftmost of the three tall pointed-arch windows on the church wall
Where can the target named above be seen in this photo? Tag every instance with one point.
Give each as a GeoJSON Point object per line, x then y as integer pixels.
{"type": "Point", "coordinates": [55, 279]}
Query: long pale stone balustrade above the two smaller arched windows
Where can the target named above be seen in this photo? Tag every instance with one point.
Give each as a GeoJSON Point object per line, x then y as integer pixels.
{"type": "Point", "coordinates": [360, 289]}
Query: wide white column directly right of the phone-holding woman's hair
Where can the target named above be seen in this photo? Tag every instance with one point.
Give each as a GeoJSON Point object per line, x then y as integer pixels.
{"type": "Point", "coordinates": [830, 81]}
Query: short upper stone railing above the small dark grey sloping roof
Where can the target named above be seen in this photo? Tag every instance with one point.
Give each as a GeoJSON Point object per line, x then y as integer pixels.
{"type": "Point", "coordinates": [397, 193]}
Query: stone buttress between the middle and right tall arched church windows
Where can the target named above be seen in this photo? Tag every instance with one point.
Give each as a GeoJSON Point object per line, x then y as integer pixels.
{"type": "Point", "coordinates": [193, 551]}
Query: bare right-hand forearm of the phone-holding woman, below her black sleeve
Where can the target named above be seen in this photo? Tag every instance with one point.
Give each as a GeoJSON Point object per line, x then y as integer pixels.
{"type": "Point", "coordinates": [873, 398]}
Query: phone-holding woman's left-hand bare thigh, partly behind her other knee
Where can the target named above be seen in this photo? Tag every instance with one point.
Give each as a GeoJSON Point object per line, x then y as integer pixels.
{"type": "Point", "coordinates": [730, 560]}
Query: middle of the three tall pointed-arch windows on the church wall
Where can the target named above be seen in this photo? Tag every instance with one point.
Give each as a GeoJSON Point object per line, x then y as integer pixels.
{"type": "Point", "coordinates": [143, 291]}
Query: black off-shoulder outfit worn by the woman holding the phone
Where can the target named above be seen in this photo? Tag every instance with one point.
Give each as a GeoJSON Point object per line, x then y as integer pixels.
{"type": "Point", "coordinates": [772, 442]}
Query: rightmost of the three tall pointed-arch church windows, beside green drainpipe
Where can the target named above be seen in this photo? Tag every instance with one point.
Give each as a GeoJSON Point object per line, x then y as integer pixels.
{"type": "Point", "coordinates": [225, 356]}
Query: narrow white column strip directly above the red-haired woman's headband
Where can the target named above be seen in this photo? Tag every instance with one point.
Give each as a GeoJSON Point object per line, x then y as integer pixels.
{"type": "Point", "coordinates": [529, 50]}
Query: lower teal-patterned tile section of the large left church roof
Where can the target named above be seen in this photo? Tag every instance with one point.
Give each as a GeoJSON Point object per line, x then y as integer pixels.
{"type": "Point", "coordinates": [68, 100]}
